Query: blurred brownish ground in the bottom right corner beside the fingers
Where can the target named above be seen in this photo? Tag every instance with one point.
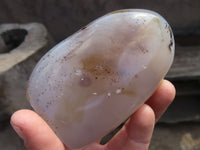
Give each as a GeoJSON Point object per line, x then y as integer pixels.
{"type": "Point", "coordinates": [181, 136]}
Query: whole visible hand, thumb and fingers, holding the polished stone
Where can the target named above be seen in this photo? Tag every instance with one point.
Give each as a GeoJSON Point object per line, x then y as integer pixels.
{"type": "Point", "coordinates": [134, 135]}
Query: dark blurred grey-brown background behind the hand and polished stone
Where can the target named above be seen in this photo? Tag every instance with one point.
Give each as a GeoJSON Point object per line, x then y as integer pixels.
{"type": "Point", "coordinates": [29, 28]}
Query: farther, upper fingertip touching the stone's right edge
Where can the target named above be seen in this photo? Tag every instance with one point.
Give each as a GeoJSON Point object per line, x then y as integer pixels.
{"type": "Point", "coordinates": [162, 98]}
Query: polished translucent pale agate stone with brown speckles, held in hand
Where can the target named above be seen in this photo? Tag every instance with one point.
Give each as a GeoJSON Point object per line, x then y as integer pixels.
{"type": "Point", "coordinates": [92, 81]}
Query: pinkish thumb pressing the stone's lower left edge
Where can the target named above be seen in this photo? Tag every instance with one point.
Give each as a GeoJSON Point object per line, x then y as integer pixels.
{"type": "Point", "coordinates": [36, 134]}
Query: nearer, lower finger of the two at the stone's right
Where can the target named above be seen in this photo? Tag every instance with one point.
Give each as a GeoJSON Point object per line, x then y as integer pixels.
{"type": "Point", "coordinates": [136, 133]}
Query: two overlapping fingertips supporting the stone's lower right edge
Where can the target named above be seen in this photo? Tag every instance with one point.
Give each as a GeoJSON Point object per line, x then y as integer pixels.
{"type": "Point", "coordinates": [137, 132]}
